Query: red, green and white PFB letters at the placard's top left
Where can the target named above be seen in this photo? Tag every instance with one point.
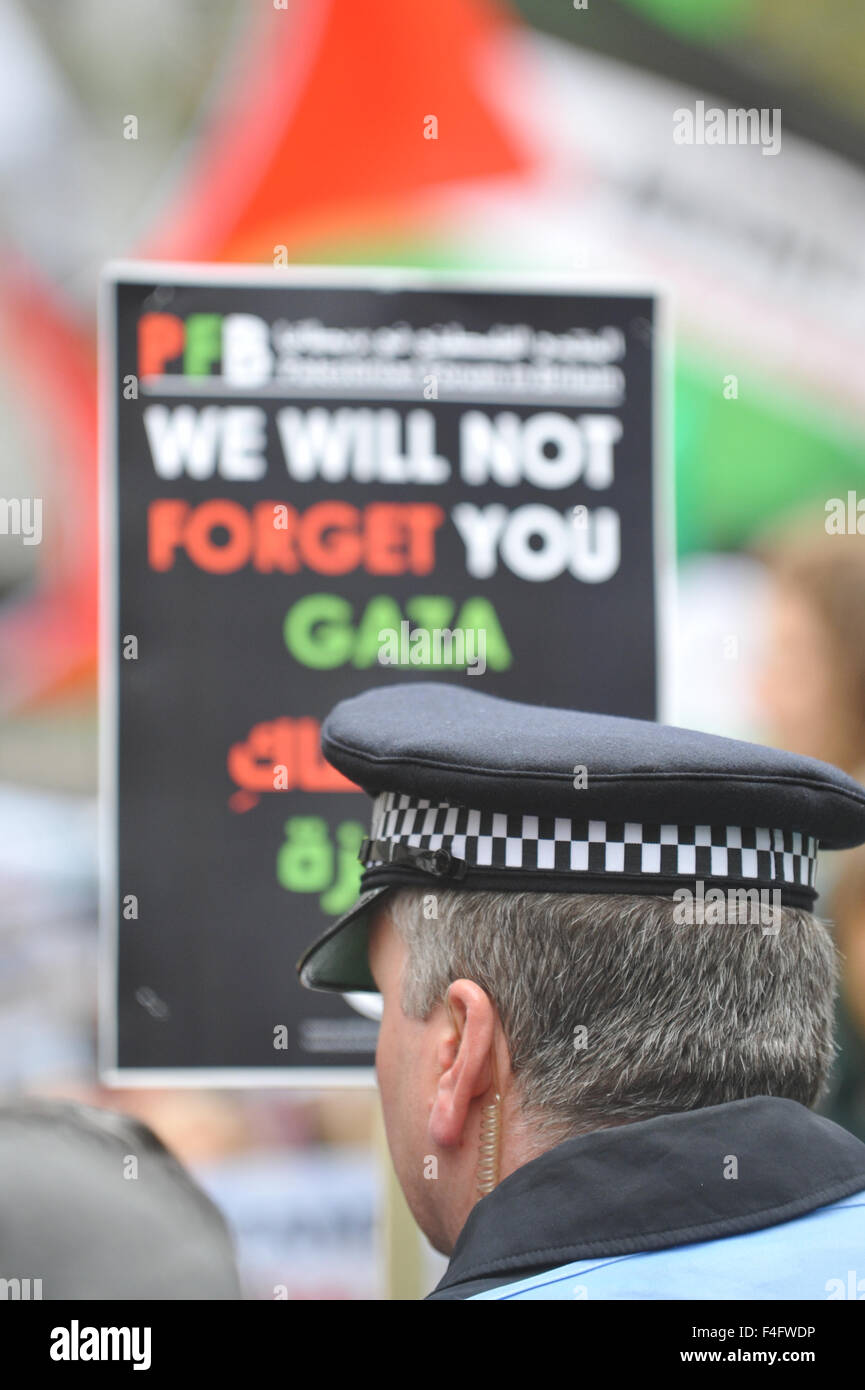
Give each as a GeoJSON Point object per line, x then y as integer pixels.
{"type": "Point", "coordinates": [236, 348]}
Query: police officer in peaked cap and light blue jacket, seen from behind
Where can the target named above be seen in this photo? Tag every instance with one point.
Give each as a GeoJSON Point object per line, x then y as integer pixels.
{"type": "Point", "coordinates": [607, 1003]}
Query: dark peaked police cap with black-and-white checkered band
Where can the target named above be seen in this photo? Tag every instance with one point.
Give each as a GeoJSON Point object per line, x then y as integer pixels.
{"type": "Point", "coordinates": [472, 792]}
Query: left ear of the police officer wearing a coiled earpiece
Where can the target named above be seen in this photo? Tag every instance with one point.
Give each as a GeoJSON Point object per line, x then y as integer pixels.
{"type": "Point", "coordinates": [465, 1060]}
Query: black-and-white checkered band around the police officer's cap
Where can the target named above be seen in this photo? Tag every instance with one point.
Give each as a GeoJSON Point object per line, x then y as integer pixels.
{"type": "Point", "coordinates": [503, 840]}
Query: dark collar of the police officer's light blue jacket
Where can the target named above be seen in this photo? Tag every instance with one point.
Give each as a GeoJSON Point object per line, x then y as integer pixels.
{"type": "Point", "coordinates": [656, 1185]}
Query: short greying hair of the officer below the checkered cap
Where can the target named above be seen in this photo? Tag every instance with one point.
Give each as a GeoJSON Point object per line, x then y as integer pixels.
{"type": "Point", "coordinates": [615, 1013]}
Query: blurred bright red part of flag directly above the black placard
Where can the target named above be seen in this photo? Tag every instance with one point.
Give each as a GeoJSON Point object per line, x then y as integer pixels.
{"type": "Point", "coordinates": [344, 112]}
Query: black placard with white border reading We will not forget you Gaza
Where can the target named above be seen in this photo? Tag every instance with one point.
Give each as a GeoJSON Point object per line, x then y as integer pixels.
{"type": "Point", "coordinates": [297, 464]}
